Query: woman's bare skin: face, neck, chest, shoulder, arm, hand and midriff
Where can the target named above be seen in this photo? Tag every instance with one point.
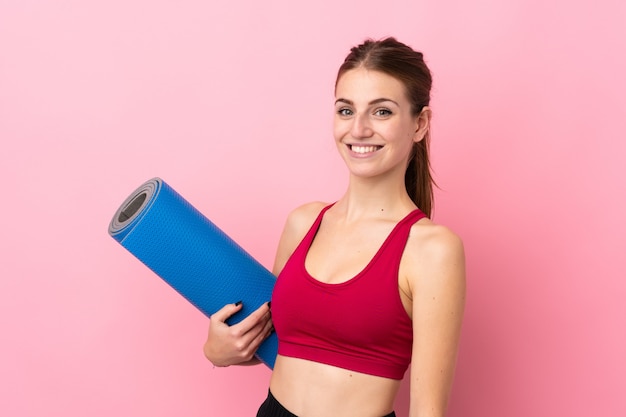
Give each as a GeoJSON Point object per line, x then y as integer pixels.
{"type": "Point", "coordinates": [374, 132]}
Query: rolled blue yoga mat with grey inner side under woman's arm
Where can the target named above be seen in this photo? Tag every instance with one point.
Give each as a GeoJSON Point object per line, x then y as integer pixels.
{"type": "Point", "coordinates": [189, 252]}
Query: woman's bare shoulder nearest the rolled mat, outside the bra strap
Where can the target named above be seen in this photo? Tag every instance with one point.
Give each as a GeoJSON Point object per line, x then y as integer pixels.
{"type": "Point", "coordinates": [298, 223]}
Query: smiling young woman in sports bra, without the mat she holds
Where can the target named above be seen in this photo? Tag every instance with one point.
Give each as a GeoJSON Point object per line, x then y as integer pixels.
{"type": "Point", "coordinates": [367, 285]}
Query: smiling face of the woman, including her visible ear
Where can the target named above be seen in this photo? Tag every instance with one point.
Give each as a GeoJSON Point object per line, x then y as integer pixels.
{"type": "Point", "coordinates": [373, 127]}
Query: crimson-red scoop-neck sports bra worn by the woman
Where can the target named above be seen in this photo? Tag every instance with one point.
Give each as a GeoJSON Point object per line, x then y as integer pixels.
{"type": "Point", "coordinates": [360, 324]}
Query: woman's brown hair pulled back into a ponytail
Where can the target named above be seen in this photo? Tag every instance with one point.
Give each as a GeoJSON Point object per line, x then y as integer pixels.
{"type": "Point", "coordinates": [406, 65]}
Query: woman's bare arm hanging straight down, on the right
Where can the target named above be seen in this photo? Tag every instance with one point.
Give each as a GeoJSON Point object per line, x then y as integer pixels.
{"type": "Point", "coordinates": [437, 280]}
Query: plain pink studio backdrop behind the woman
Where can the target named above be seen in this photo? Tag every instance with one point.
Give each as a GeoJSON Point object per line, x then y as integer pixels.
{"type": "Point", "coordinates": [231, 103]}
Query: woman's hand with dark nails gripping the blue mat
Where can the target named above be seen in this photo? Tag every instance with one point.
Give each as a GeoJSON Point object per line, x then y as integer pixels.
{"type": "Point", "coordinates": [231, 345]}
